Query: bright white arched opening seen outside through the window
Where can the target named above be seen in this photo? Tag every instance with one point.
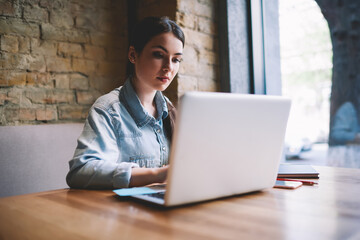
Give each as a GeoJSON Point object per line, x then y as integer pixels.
{"type": "Point", "coordinates": [306, 68]}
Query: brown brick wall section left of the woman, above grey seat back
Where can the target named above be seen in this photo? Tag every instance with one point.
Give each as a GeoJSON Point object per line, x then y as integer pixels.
{"type": "Point", "coordinates": [58, 56]}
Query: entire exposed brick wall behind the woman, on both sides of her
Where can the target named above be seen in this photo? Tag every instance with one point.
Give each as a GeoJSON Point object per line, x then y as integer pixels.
{"type": "Point", "coordinates": [58, 56]}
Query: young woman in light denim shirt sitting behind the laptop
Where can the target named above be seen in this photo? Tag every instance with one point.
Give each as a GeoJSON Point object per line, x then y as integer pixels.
{"type": "Point", "coordinates": [126, 137]}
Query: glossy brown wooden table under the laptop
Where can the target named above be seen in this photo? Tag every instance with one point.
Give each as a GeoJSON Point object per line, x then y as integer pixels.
{"type": "Point", "coordinates": [330, 210]}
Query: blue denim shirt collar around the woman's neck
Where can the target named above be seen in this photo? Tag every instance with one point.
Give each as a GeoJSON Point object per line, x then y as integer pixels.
{"type": "Point", "coordinates": [132, 103]}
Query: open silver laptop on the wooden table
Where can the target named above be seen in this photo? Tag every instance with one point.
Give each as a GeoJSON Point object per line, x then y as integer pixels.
{"type": "Point", "coordinates": [224, 144]}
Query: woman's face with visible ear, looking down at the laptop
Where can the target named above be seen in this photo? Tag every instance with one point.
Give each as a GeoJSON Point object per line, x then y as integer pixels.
{"type": "Point", "coordinates": [158, 63]}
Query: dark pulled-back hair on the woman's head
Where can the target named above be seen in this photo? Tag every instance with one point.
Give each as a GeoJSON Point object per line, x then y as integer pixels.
{"type": "Point", "coordinates": [148, 28]}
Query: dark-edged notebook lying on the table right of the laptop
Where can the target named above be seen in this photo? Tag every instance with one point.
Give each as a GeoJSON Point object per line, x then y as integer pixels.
{"type": "Point", "coordinates": [297, 171]}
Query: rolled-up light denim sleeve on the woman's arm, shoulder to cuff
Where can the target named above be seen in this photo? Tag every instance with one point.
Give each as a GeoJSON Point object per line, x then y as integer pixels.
{"type": "Point", "coordinates": [95, 162]}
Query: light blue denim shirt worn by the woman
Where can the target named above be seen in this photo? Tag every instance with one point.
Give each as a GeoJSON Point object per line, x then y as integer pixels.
{"type": "Point", "coordinates": [119, 134]}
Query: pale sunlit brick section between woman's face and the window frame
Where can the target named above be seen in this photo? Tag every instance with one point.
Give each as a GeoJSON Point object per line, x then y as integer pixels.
{"type": "Point", "coordinates": [200, 68]}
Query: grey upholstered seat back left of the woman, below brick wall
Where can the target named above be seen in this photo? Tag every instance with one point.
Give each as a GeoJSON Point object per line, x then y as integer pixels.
{"type": "Point", "coordinates": [35, 158]}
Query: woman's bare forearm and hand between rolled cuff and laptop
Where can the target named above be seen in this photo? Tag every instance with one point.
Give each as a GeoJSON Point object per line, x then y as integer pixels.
{"type": "Point", "coordinates": [145, 176]}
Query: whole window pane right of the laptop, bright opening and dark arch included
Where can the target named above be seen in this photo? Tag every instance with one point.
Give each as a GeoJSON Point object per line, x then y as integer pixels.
{"type": "Point", "coordinates": [324, 127]}
